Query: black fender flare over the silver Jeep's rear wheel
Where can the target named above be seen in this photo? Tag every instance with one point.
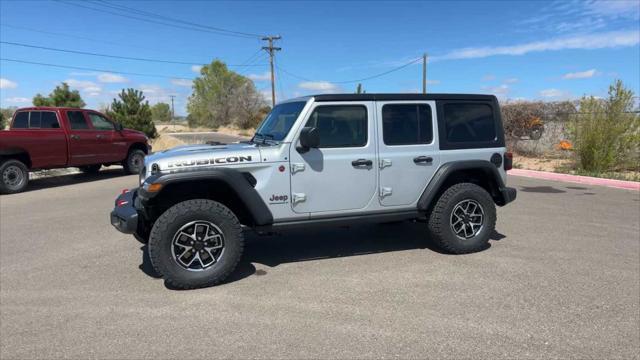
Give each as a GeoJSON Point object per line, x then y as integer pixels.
{"type": "Point", "coordinates": [442, 174]}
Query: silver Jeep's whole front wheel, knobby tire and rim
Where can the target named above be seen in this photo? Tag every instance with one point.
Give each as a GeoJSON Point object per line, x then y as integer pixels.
{"type": "Point", "coordinates": [196, 243]}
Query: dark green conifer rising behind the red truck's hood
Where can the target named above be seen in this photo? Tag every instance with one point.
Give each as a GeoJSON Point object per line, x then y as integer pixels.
{"type": "Point", "coordinates": [133, 111]}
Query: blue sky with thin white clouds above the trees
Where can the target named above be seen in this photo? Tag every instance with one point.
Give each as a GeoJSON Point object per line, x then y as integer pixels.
{"type": "Point", "coordinates": [517, 50]}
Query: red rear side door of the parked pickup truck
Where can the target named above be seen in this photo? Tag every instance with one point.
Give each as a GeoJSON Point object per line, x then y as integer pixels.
{"type": "Point", "coordinates": [84, 143]}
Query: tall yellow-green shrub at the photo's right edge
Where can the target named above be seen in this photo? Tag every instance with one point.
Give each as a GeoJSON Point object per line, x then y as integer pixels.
{"type": "Point", "coordinates": [606, 132]}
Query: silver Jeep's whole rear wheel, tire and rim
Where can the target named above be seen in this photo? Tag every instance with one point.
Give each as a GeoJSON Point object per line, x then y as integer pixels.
{"type": "Point", "coordinates": [463, 219]}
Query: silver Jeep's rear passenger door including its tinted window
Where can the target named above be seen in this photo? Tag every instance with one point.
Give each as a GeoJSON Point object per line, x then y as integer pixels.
{"type": "Point", "coordinates": [408, 150]}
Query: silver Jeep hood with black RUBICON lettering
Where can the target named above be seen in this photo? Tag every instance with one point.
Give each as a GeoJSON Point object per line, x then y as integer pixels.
{"type": "Point", "coordinates": [192, 156]}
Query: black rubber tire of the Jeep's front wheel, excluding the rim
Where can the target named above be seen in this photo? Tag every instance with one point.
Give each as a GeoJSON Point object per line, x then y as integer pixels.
{"type": "Point", "coordinates": [166, 226]}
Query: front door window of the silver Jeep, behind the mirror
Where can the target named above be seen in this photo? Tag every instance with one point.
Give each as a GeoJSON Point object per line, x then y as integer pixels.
{"type": "Point", "coordinates": [340, 125]}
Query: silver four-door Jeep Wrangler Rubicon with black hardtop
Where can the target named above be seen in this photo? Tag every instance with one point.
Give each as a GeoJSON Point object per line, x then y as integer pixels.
{"type": "Point", "coordinates": [324, 160]}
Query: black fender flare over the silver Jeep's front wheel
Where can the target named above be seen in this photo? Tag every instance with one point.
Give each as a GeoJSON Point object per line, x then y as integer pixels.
{"type": "Point", "coordinates": [236, 181]}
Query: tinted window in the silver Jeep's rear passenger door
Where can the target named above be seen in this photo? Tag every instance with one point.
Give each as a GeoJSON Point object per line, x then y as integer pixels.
{"type": "Point", "coordinates": [406, 124]}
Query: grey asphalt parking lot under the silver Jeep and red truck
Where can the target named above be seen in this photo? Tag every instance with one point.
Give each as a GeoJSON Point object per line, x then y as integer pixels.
{"type": "Point", "coordinates": [560, 279]}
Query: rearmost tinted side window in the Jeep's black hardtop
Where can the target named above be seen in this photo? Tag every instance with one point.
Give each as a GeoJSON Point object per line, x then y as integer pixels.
{"type": "Point", "coordinates": [469, 122]}
